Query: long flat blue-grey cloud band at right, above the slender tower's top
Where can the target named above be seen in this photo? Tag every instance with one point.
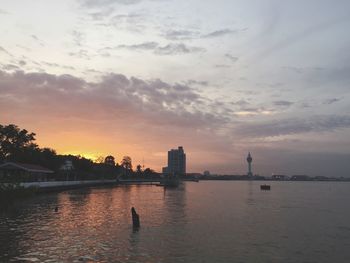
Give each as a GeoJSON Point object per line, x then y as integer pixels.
{"type": "Point", "coordinates": [320, 123]}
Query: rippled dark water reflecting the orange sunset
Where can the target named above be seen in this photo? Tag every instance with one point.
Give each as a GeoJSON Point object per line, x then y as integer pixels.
{"type": "Point", "coordinates": [199, 222]}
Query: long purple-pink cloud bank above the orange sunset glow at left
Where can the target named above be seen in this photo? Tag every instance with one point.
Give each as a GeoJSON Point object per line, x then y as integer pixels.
{"type": "Point", "coordinates": [115, 97]}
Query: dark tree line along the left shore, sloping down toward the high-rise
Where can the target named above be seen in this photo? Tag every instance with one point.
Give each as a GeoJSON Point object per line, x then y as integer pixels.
{"type": "Point", "coordinates": [18, 145]}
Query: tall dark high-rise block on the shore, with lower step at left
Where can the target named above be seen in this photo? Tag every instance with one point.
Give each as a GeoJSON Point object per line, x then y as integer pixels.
{"type": "Point", "coordinates": [176, 162]}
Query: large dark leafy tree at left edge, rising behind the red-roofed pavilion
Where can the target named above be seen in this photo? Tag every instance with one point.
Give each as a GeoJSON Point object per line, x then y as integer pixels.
{"type": "Point", "coordinates": [14, 142]}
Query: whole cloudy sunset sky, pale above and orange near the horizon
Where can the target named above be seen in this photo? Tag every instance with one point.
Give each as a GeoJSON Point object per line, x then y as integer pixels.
{"type": "Point", "coordinates": [220, 78]}
